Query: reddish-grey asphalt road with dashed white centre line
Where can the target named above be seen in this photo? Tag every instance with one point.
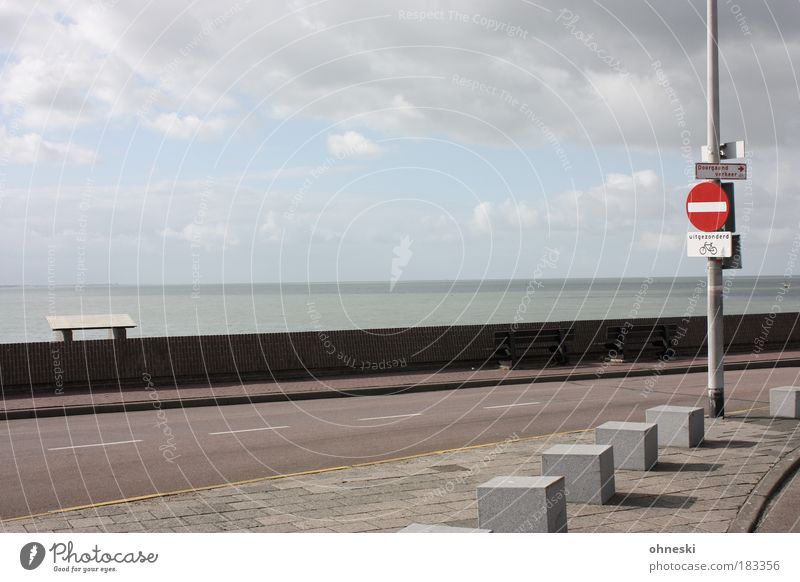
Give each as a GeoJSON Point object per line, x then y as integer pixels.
{"type": "Point", "coordinates": [54, 463]}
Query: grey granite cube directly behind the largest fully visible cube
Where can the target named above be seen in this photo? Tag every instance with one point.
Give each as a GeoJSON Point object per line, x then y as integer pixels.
{"type": "Point", "coordinates": [588, 471]}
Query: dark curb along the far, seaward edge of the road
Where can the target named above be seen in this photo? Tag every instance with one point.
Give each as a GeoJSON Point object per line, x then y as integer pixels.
{"type": "Point", "coordinates": [55, 411]}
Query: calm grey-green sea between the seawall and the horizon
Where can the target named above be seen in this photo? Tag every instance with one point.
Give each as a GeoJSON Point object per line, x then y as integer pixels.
{"type": "Point", "coordinates": [244, 308]}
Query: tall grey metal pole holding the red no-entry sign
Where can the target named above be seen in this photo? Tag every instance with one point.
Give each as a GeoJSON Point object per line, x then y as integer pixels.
{"type": "Point", "coordinates": [716, 371]}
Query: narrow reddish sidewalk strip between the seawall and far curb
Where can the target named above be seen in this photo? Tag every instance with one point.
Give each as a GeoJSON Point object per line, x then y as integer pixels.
{"type": "Point", "coordinates": [85, 401]}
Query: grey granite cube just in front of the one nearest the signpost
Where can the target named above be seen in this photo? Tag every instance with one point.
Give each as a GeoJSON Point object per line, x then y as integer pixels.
{"type": "Point", "coordinates": [635, 444]}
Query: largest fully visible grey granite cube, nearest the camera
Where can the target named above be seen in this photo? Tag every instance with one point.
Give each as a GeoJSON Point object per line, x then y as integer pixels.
{"type": "Point", "coordinates": [523, 505]}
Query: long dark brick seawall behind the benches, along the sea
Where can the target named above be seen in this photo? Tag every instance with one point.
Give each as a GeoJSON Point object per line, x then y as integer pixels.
{"type": "Point", "coordinates": [189, 359]}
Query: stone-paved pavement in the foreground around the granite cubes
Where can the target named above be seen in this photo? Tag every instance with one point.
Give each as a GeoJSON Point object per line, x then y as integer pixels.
{"type": "Point", "coordinates": [689, 490]}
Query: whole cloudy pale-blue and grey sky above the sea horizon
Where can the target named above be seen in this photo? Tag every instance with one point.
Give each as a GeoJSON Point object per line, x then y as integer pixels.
{"type": "Point", "coordinates": [209, 142]}
